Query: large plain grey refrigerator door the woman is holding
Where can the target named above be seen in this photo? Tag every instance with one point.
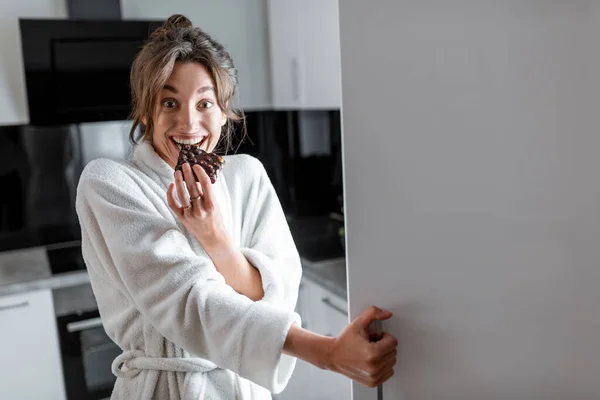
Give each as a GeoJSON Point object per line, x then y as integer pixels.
{"type": "Point", "coordinates": [471, 154]}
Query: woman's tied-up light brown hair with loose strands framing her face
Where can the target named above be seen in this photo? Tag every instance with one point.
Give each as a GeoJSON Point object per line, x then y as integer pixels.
{"type": "Point", "coordinates": [178, 40]}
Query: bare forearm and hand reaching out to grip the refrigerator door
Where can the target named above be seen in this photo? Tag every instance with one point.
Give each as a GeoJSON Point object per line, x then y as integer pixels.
{"type": "Point", "coordinates": [351, 353]}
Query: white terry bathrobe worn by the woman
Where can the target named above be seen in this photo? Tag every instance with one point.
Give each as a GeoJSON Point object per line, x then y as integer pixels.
{"type": "Point", "coordinates": [185, 333]}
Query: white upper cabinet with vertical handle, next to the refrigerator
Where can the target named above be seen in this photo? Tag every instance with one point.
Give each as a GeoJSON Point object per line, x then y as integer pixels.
{"type": "Point", "coordinates": [304, 54]}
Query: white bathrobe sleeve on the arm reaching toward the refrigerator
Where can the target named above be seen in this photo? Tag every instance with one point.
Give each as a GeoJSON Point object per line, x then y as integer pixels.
{"type": "Point", "coordinates": [180, 293]}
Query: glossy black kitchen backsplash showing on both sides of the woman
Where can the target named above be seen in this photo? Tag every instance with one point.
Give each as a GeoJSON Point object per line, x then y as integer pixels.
{"type": "Point", "coordinates": [40, 169]}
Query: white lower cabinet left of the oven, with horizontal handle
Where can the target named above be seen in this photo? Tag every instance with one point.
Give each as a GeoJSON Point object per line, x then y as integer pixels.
{"type": "Point", "coordinates": [30, 366]}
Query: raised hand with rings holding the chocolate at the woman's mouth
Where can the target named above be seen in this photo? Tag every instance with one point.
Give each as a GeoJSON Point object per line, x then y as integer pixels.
{"type": "Point", "coordinates": [199, 212]}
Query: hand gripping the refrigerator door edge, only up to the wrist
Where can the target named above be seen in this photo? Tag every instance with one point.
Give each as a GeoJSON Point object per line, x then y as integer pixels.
{"type": "Point", "coordinates": [353, 355]}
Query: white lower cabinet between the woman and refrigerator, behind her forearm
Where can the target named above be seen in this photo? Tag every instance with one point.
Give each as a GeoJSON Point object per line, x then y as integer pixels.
{"type": "Point", "coordinates": [325, 313]}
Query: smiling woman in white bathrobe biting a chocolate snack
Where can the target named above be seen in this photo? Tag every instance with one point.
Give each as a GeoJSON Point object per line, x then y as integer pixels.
{"type": "Point", "coordinates": [197, 282]}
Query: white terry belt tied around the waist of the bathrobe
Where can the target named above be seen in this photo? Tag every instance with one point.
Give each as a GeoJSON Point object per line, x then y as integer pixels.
{"type": "Point", "coordinates": [131, 362]}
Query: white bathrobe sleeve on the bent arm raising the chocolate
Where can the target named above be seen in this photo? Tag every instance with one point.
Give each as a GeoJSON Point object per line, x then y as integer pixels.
{"type": "Point", "coordinates": [267, 242]}
